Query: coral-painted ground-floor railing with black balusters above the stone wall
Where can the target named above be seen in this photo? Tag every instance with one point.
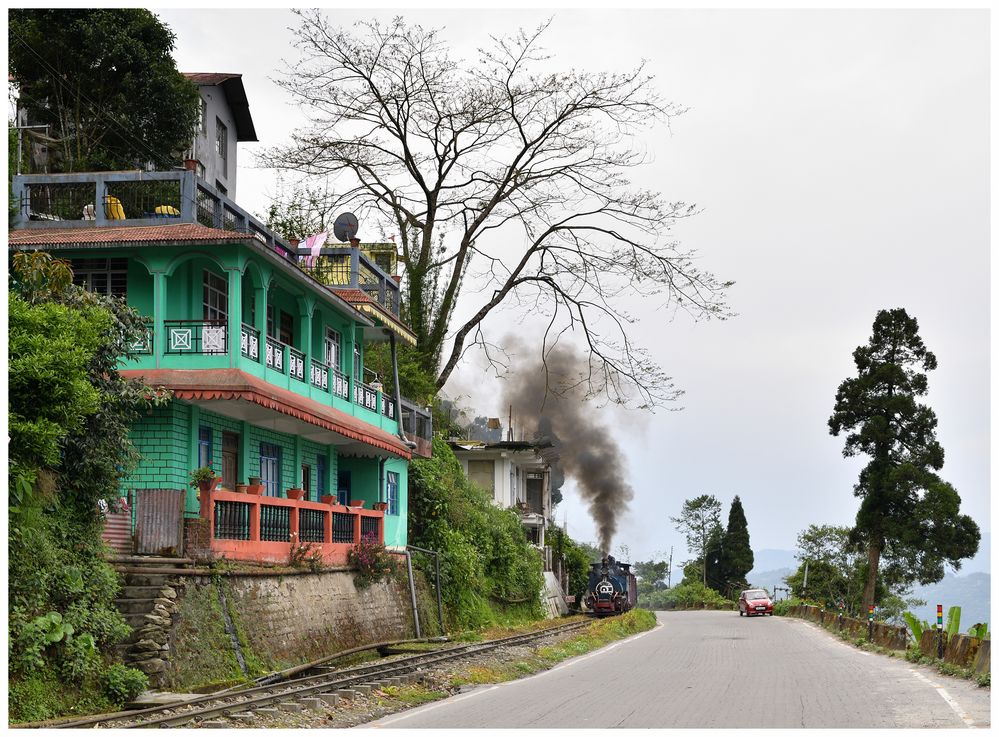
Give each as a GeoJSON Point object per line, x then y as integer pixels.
{"type": "Point", "coordinates": [267, 529]}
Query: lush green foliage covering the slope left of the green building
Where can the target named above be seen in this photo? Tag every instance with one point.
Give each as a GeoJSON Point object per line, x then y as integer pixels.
{"type": "Point", "coordinates": [68, 415]}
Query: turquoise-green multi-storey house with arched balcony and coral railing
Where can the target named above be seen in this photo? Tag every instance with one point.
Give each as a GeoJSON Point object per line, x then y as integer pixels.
{"type": "Point", "coordinates": [264, 361]}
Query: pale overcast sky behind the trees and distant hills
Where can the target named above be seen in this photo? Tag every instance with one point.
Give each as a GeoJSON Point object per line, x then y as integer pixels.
{"type": "Point", "coordinates": [841, 162]}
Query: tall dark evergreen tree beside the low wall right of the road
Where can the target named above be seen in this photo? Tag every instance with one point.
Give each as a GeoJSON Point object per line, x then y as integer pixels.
{"type": "Point", "coordinates": [906, 511]}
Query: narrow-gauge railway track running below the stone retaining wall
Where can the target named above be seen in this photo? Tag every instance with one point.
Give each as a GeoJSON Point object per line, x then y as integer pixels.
{"type": "Point", "coordinates": [323, 686]}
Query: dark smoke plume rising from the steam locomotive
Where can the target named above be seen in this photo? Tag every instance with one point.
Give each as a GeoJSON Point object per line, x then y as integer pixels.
{"type": "Point", "coordinates": [549, 401]}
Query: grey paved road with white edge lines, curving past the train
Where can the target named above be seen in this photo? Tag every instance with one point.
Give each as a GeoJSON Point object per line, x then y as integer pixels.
{"type": "Point", "coordinates": [716, 669]}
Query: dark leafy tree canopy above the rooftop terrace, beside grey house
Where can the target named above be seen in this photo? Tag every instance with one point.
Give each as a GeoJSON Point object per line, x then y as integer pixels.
{"type": "Point", "coordinates": [106, 83]}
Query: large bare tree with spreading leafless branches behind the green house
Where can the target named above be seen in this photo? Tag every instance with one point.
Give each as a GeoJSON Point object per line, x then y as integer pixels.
{"type": "Point", "coordinates": [507, 164]}
